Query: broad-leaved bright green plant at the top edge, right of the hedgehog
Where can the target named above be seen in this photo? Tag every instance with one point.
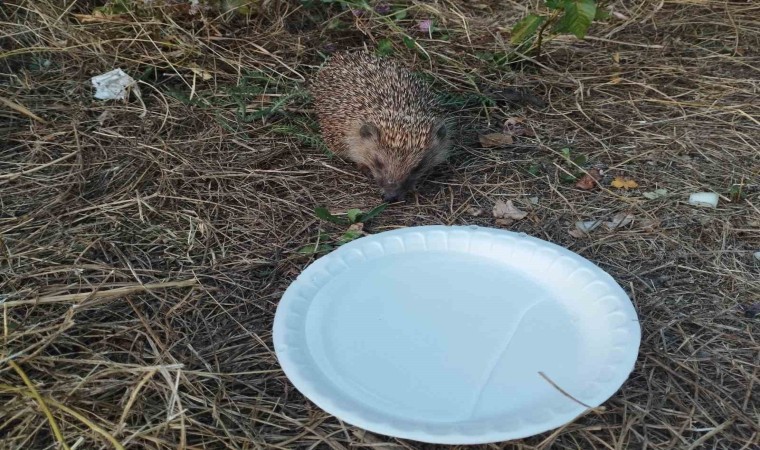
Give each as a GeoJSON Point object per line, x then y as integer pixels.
{"type": "Point", "coordinates": [562, 16]}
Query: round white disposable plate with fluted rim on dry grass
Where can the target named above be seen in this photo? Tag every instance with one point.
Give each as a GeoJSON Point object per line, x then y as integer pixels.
{"type": "Point", "coordinates": [438, 334]}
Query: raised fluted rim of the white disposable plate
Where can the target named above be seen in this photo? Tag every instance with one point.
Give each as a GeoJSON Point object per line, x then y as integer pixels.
{"type": "Point", "coordinates": [306, 384]}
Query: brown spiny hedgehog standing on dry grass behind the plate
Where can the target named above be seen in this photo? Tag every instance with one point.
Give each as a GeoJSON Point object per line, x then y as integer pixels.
{"type": "Point", "coordinates": [378, 114]}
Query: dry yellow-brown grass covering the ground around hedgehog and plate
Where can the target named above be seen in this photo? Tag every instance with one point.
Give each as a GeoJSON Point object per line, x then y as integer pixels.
{"type": "Point", "coordinates": [143, 249]}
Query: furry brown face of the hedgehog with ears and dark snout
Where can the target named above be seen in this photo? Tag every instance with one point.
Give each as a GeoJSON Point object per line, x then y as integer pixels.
{"type": "Point", "coordinates": [397, 166]}
